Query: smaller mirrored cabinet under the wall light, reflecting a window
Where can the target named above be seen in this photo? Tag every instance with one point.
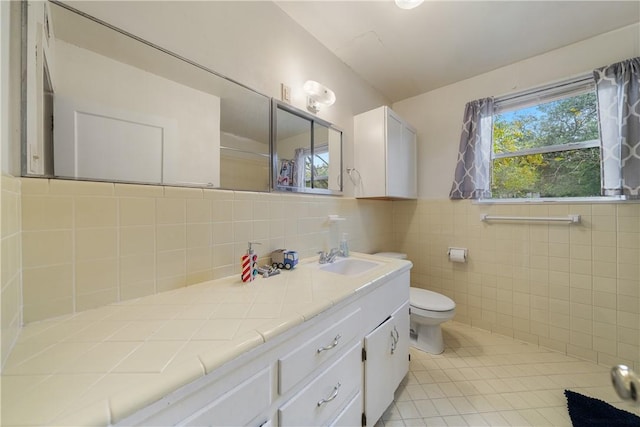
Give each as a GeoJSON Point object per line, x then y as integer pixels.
{"type": "Point", "coordinates": [307, 152]}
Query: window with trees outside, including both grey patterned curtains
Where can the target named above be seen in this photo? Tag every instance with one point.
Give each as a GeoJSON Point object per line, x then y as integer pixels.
{"type": "Point", "coordinates": [556, 141]}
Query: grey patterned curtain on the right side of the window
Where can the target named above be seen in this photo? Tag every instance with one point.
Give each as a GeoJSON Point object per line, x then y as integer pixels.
{"type": "Point", "coordinates": [618, 89]}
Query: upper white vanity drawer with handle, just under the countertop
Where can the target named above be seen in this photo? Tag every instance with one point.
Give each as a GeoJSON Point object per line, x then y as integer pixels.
{"type": "Point", "coordinates": [325, 345]}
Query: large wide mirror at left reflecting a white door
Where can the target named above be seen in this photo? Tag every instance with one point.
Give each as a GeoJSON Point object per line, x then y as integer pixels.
{"type": "Point", "coordinates": [127, 111]}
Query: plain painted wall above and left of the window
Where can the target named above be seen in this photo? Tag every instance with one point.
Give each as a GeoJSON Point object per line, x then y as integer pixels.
{"type": "Point", "coordinates": [437, 115]}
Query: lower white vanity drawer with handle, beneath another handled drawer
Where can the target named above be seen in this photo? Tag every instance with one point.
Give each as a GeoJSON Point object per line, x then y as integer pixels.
{"type": "Point", "coordinates": [320, 401]}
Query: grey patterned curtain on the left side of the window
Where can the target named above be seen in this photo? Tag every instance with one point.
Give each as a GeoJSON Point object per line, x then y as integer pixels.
{"type": "Point", "coordinates": [472, 179]}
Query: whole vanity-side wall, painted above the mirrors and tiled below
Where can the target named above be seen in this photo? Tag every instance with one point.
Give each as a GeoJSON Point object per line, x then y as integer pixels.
{"type": "Point", "coordinates": [254, 43]}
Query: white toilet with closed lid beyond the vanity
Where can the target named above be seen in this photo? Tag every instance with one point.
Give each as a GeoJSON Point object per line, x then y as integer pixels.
{"type": "Point", "coordinates": [428, 310]}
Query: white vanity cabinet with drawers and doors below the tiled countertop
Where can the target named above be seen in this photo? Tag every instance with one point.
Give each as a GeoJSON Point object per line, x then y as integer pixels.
{"type": "Point", "coordinates": [310, 375]}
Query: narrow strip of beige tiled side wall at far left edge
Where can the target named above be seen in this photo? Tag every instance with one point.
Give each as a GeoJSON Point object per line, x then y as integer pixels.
{"type": "Point", "coordinates": [10, 252]}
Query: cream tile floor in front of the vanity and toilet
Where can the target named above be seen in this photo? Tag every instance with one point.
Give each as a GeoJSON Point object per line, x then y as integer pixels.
{"type": "Point", "coordinates": [483, 379]}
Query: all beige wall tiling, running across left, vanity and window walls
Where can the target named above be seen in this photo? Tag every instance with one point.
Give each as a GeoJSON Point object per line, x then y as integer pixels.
{"type": "Point", "coordinates": [572, 288]}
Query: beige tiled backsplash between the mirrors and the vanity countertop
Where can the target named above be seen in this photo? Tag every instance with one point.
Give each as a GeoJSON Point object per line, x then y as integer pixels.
{"type": "Point", "coordinates": [87, 244]}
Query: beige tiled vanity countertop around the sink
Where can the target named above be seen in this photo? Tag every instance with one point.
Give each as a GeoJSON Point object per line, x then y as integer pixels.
{"type": "Point", "coordinates": [100, 366]}
